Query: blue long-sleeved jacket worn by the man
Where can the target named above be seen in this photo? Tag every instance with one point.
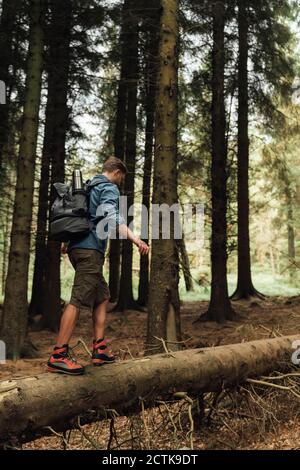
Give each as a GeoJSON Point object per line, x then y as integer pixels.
{"type": "Point", "coordinates": [104, 204]}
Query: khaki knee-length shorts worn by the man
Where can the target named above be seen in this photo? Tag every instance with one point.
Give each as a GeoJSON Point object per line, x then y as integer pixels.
{"type": "Point", "coordinates": [89, 287]}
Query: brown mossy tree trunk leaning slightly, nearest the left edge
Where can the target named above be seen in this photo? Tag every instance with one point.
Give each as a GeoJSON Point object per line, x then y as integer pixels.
{"type": "Point", "coordinates": [14, 319]}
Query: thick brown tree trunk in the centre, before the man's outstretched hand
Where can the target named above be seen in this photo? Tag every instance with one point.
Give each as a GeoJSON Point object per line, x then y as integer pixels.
{"type": "Point", "coordinates": [164, 305]}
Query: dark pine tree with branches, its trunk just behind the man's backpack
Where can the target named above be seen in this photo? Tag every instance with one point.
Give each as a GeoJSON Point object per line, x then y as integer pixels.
{"type": "Point", "coordinates": [68, 53]}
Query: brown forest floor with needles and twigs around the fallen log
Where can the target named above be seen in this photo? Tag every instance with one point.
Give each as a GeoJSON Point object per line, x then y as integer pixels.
{"type": "Point", "coordinates": [252, 417]}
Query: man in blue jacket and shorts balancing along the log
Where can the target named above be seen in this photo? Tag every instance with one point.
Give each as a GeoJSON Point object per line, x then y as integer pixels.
{"type": "Point", "coordinates": [90, 289]}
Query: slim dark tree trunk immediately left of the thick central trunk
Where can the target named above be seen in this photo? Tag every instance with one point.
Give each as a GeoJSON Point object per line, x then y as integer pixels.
{"type": "Point", "coordinates": [152, 23]}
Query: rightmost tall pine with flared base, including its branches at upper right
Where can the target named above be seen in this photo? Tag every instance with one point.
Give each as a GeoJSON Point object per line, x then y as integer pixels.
{"type": "Point", "coordinates": [267, 30]}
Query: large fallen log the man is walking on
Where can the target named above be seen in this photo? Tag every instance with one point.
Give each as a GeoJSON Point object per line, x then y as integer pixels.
{"type": "Point", "coordinates": [28, 405]}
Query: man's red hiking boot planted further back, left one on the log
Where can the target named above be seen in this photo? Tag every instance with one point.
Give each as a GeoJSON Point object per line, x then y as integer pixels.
{"type": "Point", "coordinates": [62, 362]}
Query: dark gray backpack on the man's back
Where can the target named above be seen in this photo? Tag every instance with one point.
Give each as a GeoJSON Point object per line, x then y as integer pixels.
{"type": "Point", "coordinates": [69, 215]}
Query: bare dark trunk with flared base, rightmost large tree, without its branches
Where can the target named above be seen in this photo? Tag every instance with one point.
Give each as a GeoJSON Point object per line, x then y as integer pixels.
{"type": "Point", "coordinates": [245, 288]}
